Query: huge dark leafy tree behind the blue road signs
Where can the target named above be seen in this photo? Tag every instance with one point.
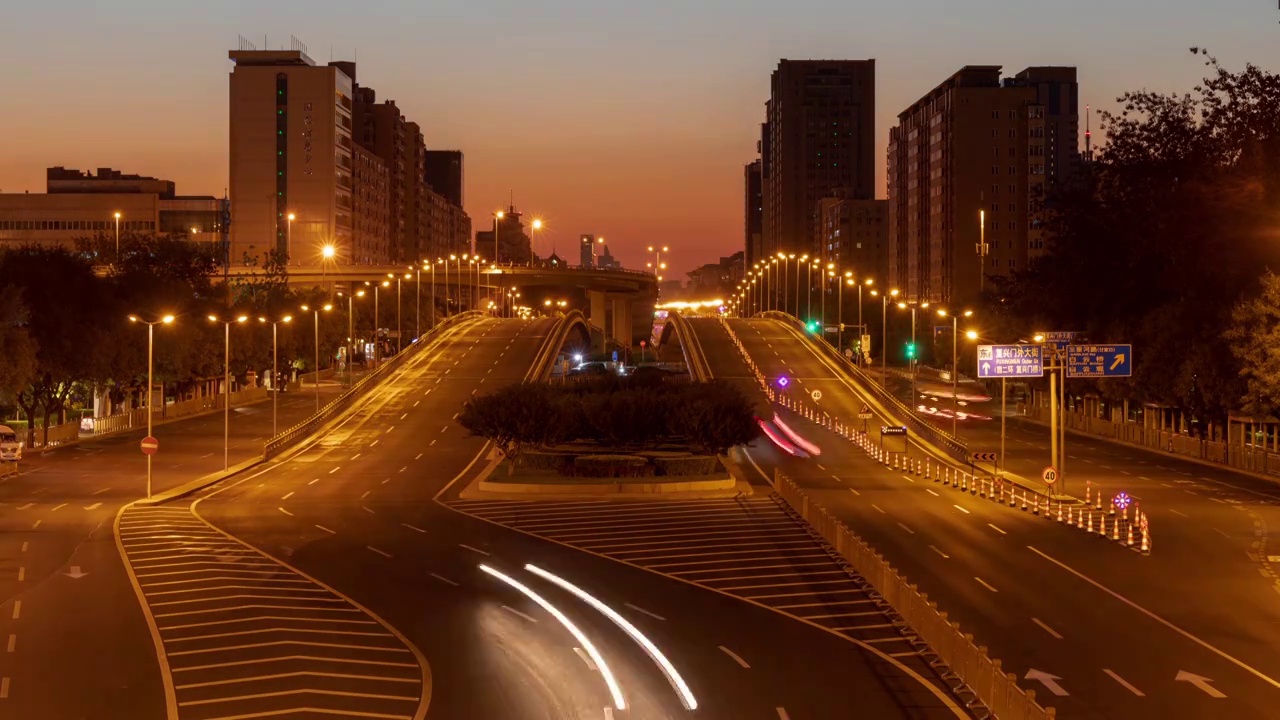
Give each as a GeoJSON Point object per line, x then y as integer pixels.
{"type": "Point", "coordinates": [1155, 241]}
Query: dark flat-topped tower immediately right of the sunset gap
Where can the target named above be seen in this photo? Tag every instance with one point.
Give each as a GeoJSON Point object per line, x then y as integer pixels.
{"type": "Point", "coordinates": [819, 142]}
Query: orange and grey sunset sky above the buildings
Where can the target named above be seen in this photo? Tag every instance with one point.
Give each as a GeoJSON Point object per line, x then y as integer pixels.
{"type": "Point", "coordinates": [630, 121]}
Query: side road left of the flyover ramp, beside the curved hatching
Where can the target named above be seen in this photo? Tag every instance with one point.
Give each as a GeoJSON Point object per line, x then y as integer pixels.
{"type": "Point", "coordinates": [76, 642]}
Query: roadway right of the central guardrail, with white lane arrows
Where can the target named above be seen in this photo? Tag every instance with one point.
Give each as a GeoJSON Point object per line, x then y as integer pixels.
{"type": "Point", "coordinates": [1190, 631]}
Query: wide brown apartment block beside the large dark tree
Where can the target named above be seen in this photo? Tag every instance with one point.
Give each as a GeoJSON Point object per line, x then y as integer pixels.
{"type": "Point", "coordinates": [970, 168]}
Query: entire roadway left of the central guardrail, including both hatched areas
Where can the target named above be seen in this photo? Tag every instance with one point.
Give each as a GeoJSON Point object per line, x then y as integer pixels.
{"type": "Point", "coordinates": [348, 578]}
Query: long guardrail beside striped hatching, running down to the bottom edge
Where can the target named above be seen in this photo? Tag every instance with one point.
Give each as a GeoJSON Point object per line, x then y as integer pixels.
{"type": "Point", "coordinates": [963, 664]}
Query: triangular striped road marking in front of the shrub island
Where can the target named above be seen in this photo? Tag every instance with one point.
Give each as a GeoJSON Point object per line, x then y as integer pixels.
{"type": "Point", "coordinates": [753, 549]}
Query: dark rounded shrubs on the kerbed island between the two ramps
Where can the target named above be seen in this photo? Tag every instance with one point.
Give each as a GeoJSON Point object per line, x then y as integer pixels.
{"type": "Point", "coordinates": [614, 429]}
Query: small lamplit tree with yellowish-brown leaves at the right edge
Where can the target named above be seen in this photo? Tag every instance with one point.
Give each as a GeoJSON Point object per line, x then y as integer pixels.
{"type": "Point", "coordinates": [1255, 340]}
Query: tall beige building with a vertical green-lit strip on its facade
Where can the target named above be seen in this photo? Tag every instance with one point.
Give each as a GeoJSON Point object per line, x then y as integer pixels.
{"type": "Point", "coordinates": [290, 154]}
